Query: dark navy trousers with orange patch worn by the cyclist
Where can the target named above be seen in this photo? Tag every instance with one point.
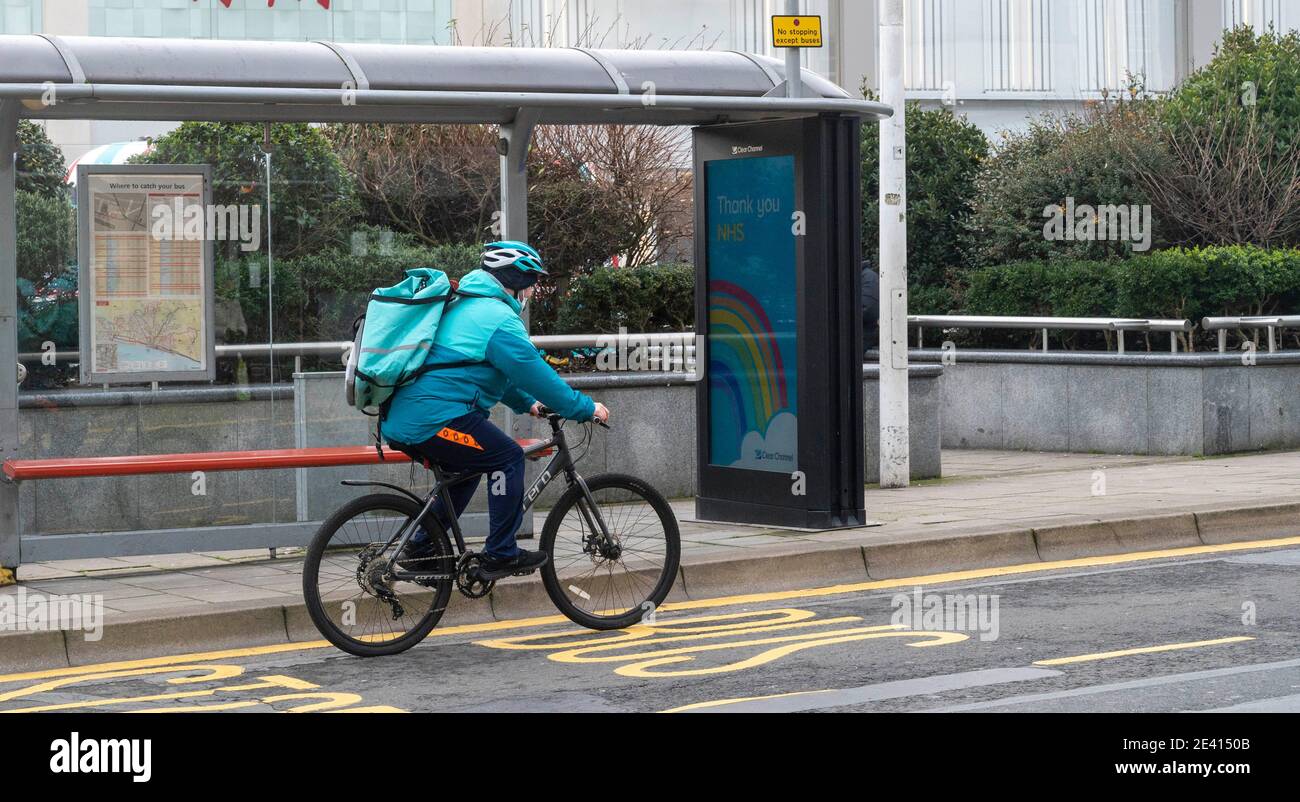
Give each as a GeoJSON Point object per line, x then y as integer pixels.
{"type": "Point", "coordinates": [471, 443]}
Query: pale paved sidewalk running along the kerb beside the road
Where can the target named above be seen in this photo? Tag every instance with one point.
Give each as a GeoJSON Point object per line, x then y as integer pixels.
{"type": "Point", "coordinates": [986, 493]}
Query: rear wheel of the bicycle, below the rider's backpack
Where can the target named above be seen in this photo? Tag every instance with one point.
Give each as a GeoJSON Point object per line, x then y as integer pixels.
{"type": "Point", "coordinates": [352, 599]}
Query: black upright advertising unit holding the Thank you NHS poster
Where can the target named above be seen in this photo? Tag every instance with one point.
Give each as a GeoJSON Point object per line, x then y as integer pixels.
{"type": "Point", "coordinates": [778, 248]}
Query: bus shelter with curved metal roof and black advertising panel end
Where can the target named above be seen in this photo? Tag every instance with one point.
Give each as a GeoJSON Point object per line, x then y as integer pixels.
{"type": "Point", "coordinates": [788, 401]}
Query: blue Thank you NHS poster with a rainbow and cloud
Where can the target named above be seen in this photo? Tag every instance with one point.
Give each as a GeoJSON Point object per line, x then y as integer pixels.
{"type": "Point", "coordinates": [753, 333]}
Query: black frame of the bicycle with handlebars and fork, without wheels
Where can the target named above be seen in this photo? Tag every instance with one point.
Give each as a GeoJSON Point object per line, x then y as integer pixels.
{"type": "Point", "coordinates": [562, 463]}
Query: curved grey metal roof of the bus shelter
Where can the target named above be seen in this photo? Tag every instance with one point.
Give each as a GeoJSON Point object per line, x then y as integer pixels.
{"type": "Point", "coordinates": [116, 79]}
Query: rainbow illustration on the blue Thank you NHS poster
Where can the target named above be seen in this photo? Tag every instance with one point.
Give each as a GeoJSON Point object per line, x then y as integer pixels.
{"type": "Point", "coordinates": [748, 378]}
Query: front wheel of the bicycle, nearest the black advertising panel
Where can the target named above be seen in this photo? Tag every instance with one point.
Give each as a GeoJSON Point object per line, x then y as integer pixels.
{"type": "Point", "coordinates": [616, 583]}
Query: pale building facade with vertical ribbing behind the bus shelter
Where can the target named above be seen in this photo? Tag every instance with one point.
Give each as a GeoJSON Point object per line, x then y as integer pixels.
{"type": "Point", "coordinates": [1000, 63]}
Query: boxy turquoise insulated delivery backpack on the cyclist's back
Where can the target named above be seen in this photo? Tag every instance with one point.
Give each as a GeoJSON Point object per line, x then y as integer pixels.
{"type": "Point", "coordinates": [395, 336]}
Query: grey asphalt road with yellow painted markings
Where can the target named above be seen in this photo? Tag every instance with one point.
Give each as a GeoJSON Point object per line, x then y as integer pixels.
{"type": "Point", "coordinates": [1216, 631]}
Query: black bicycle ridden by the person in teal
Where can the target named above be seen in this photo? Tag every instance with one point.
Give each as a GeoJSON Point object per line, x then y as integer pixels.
{"type": "Point", "coordinates": [613, 560]}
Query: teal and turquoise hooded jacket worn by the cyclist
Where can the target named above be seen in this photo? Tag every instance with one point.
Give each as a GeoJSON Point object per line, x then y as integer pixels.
{"type": "Point", "coordinates": [482, 327]}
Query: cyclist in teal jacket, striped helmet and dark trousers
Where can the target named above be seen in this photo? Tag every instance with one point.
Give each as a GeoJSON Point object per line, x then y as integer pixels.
{"type": "Point", "coordinates": [483, 357]}
